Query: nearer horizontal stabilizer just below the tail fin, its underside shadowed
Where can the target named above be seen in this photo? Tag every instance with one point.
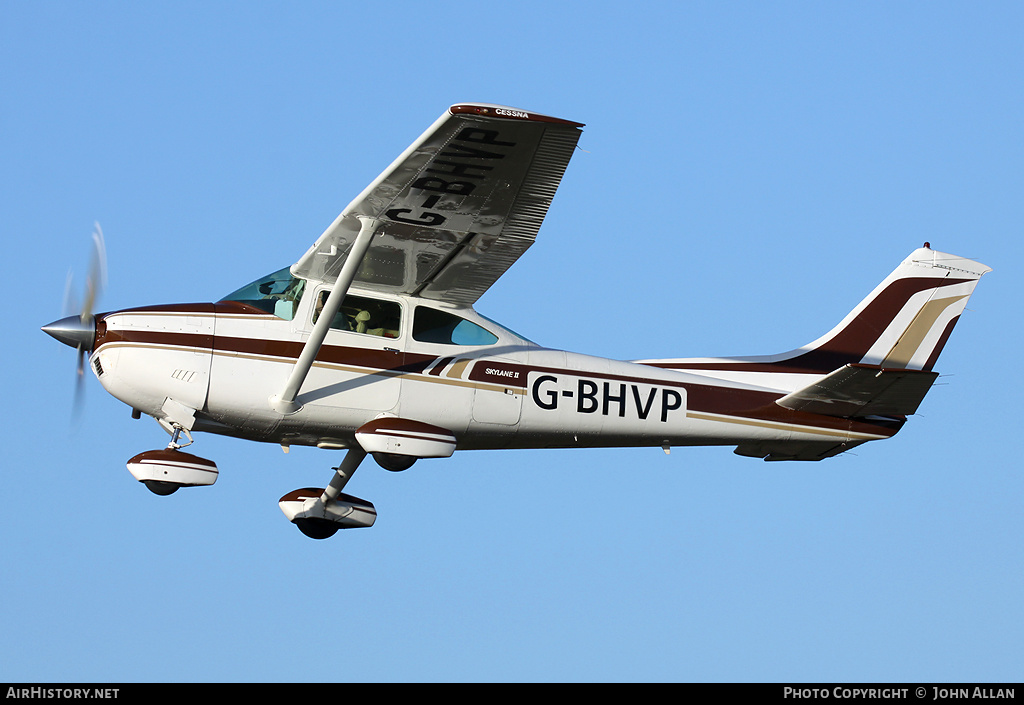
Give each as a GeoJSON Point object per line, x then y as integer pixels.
{"type": "Point", "coordinates": [859, 391]}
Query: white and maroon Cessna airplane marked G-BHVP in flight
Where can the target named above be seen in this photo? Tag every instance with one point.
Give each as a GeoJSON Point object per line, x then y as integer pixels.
{"type": "Point", "coordinates": [370, 343]}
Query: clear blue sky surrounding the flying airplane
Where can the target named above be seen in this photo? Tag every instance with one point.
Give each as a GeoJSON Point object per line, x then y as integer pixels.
{"type": "Point", "coordinates": [749, 172]}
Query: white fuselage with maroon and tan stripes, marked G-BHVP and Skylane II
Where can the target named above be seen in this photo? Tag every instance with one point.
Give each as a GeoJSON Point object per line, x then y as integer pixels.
{"type": "Point", "coordinates": [216, 367]}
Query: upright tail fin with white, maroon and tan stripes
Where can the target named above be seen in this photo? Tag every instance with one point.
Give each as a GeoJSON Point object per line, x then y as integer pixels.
{"type": "Point", "coordinates": [903, 325]}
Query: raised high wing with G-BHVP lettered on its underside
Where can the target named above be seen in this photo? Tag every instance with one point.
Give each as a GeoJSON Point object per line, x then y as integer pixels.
{"type": "Point", "coordinates": [457, 209]}
